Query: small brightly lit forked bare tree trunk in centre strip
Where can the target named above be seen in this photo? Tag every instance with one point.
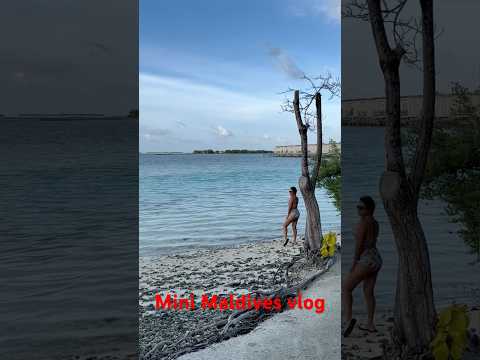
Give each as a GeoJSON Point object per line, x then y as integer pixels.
{"type": "Point", "coordinates": [306, 183]}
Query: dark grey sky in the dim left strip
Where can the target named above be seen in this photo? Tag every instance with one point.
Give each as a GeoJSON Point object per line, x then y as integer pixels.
{"type": "Point", "coordinates": [68, 56]}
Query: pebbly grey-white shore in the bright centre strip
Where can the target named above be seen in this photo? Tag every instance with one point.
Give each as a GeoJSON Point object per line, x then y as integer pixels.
{"type": "Point", "coordinates": [240, 269]}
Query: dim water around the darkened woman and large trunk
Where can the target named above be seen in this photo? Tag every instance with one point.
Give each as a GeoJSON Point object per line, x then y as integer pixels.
{"type": "Point", "coordinates": [455, 278]}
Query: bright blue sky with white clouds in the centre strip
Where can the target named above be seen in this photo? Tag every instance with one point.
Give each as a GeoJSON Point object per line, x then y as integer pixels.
{"type": "Point", "coordinates": [211, 72]}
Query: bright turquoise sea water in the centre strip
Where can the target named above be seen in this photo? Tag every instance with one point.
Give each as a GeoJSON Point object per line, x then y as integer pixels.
{"type": "Point", "coordinates": [219, 199]}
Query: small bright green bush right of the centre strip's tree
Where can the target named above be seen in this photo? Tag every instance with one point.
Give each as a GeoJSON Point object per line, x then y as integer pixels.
{"type": "Point", "coordinates": [330, 174]}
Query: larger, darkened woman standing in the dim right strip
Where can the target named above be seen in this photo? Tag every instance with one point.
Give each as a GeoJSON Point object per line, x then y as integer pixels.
{"type": "Point", "coordinates": [366, 265]}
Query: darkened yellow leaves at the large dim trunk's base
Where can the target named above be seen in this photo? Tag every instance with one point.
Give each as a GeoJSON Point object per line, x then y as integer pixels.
{"type": "Point", "coordinates": [451, 337]}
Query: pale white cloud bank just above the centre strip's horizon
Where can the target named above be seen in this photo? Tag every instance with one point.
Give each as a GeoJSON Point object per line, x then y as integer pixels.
{"type": "Point", "coordinates": [178, 114]}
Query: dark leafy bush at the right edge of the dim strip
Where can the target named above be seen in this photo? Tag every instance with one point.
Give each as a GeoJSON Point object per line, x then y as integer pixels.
{"type": "Point", "coordinates": [453, 167]}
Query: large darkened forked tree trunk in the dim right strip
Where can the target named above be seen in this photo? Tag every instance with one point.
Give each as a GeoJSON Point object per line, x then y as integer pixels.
{"type": "Point", "coordinates": [414, 318]}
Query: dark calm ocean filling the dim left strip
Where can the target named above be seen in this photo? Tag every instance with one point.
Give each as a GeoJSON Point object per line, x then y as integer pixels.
{"type": "Point", "coordinates": [68, 231]}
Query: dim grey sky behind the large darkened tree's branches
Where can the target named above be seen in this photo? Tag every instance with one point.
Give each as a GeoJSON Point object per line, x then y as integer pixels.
{"type": "Point", "coordinates": [456, 59]}
